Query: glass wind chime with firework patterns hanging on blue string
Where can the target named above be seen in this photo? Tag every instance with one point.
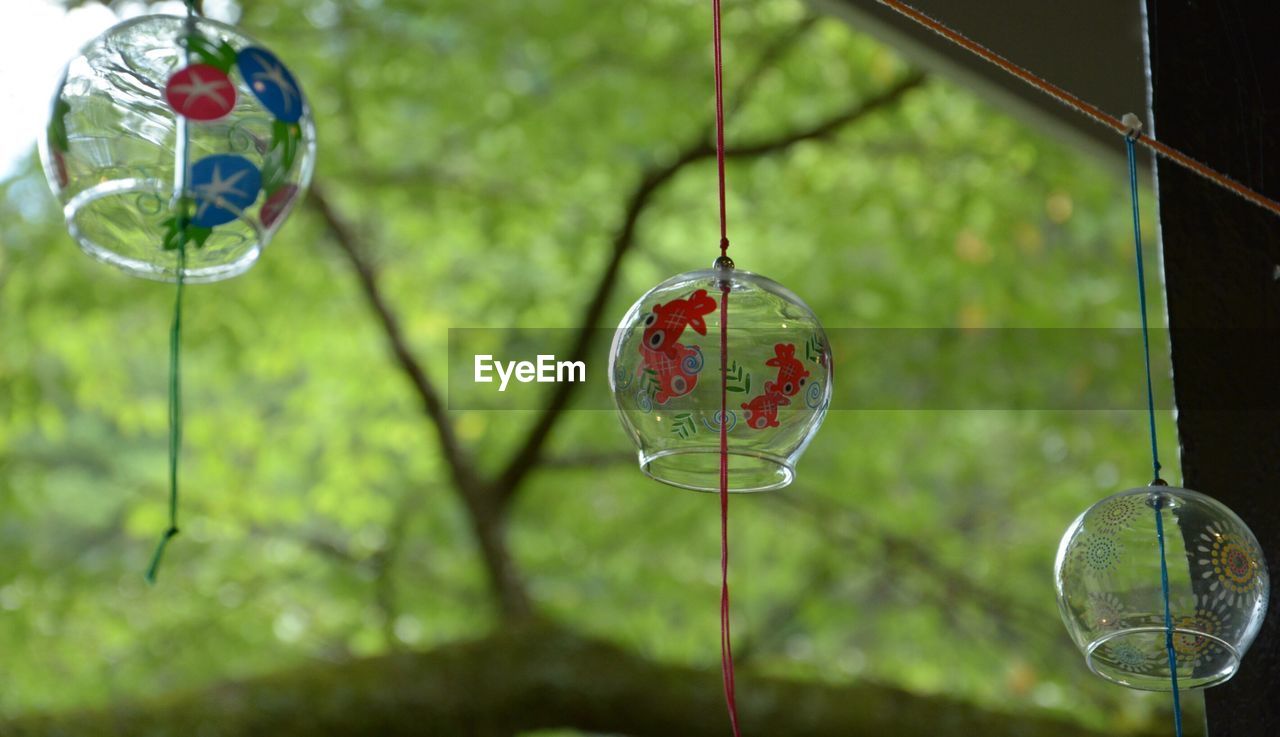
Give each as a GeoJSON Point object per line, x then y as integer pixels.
{"type": "Point", "coordinates": [1162, 588]}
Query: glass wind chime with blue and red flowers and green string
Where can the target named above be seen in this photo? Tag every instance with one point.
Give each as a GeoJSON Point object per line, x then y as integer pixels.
{"type": "Point", "coordinates": [177, 148]}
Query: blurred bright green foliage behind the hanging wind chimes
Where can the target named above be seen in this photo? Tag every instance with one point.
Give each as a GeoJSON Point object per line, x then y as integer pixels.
{"type": "Point", "coordinates": [486, 152]}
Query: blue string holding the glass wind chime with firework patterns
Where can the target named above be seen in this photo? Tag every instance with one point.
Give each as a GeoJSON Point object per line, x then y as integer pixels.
{"type": "Point", "coordinates": [1131, 138]}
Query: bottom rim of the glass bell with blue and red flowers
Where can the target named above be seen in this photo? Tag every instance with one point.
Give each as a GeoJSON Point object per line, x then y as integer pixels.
{"type": "Point", "coordinates": [143, 268]}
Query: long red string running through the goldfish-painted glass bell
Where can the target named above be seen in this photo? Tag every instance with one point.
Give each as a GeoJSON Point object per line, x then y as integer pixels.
{"type": "Point", "coordinates": [726, 638]}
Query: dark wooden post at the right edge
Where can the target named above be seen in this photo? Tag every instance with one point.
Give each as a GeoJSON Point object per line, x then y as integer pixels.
{"type": "Point", "coordinates": [1217, 91]}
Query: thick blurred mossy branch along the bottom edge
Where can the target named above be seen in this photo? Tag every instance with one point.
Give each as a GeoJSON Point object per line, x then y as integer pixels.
{"type": "Point", "coordinates": [536, 678]}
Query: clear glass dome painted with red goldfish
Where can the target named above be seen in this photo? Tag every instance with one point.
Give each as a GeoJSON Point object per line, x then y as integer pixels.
{"type": "Point", "coordinates": [665, 374]}
